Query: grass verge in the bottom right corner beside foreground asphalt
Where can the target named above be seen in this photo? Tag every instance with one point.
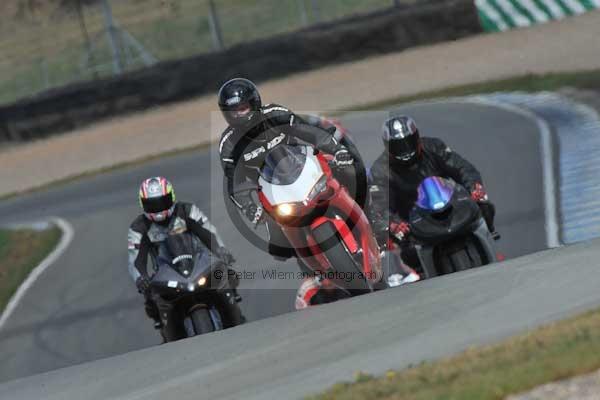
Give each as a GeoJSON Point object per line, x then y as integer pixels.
{"type": "Point", "coordinates": [553, 352]}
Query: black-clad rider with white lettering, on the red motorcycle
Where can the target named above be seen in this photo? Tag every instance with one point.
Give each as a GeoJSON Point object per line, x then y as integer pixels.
{"type": "Point", "coordinates": [255, 129]}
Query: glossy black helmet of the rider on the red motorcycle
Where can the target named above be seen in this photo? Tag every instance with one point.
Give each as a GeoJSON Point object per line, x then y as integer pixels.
{"type": "Point", "coordinates": [239, 102]}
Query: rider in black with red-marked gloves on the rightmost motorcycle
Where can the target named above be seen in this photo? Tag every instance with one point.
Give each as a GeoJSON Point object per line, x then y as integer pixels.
{"type": "Point", "coordinates": [395, 176]}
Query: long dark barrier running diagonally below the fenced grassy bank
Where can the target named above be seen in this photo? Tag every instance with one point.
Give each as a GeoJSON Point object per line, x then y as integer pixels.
{"type": "Point", "coordinates": [389, 30]}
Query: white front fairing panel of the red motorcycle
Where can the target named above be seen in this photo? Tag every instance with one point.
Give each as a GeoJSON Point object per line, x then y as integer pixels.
{"type": "Point", "coordinates": [299, 190]}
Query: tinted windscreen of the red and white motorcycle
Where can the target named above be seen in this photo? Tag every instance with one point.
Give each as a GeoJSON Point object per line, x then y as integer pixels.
{"type": "Point", "coordinates": [284, 164]}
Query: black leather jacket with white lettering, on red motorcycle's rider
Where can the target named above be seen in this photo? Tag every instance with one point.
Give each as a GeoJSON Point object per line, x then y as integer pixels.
{"type": "Point", "coordinates": [243, 152]}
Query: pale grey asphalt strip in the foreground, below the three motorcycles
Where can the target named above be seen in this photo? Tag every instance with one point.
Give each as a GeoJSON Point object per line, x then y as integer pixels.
{"type": "Point", "coordinates": [299, 353]}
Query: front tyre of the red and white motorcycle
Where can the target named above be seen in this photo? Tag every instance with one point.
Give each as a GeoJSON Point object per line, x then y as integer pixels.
{"type": "Point", "coordinates": [352, 276]}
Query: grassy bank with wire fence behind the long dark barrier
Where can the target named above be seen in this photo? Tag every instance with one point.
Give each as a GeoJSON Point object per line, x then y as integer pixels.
{"type": "Point", "coordinates": [52, 43]}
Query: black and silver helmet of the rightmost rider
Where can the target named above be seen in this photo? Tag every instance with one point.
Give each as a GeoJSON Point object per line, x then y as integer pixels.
{"type": "Point", "coordinates": [401, 139]}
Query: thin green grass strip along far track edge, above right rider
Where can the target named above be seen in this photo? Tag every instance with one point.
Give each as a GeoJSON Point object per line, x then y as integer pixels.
{"type": "Point", "coordinates": [527, 83]}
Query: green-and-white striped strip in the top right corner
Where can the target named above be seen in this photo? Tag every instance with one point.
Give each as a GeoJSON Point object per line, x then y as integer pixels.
{"type": "Point", "coordinates": [501, 15]}
